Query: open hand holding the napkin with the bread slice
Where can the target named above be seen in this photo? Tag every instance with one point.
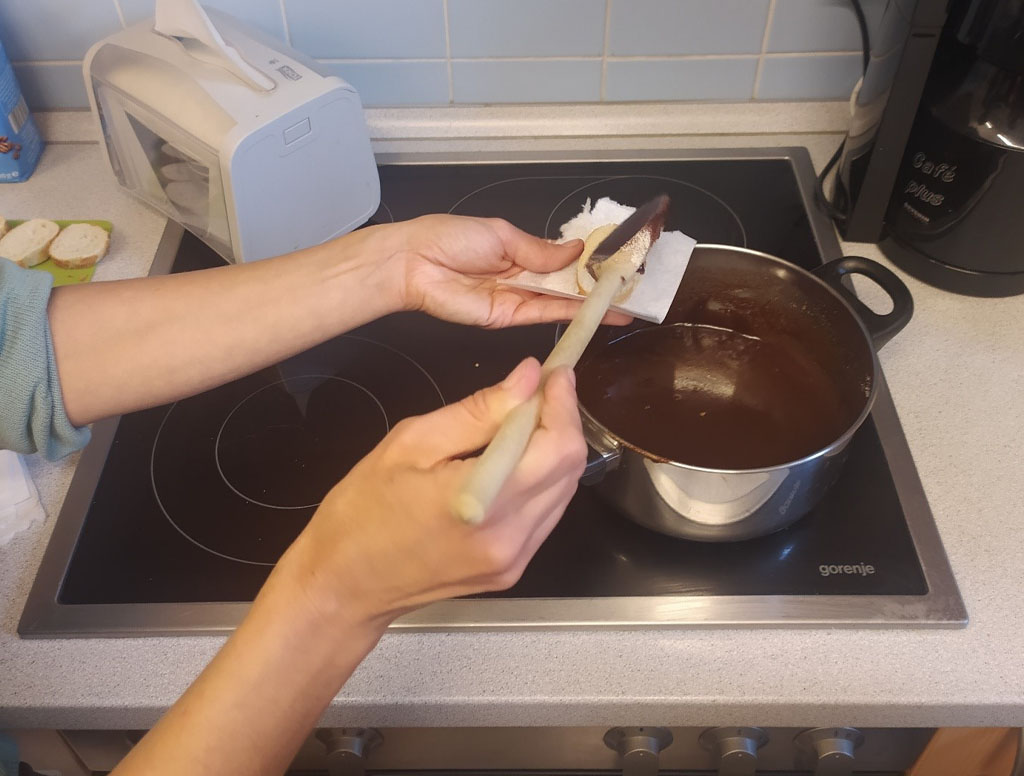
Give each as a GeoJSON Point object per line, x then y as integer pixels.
{"type": "Point", "coordinates": [449, 267]}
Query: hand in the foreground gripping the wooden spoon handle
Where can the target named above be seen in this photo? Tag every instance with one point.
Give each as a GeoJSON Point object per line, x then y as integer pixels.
{"type": "Point", "coordinates": [386, 541]}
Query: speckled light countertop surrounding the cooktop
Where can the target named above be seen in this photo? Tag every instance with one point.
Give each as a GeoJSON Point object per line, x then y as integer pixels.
{"type": "Point", "coordinates": [956, 375]}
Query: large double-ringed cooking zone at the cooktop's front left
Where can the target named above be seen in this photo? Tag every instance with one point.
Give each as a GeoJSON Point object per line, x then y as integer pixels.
{"type": "Point", "coordinates": [261, 455]}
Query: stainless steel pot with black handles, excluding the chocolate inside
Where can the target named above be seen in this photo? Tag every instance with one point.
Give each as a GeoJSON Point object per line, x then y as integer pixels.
{"type": "Point", "coordinates": [760, 295]}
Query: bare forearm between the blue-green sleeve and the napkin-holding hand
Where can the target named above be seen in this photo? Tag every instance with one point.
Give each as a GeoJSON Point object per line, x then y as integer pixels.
{"type": "Point", "coordinates": [130, 344]}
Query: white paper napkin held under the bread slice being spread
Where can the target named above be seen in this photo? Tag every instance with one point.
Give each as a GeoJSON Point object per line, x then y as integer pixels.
{"type": "Point", "coordinates": [653, 296]}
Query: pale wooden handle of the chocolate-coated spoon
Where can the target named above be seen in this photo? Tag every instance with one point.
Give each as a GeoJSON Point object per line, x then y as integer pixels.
{"type": "Point", "coordinates": [505, 451]}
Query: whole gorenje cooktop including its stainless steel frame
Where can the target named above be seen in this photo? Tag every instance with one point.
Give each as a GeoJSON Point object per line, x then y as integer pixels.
{"type": "Point", "coordinates": [178, 514]}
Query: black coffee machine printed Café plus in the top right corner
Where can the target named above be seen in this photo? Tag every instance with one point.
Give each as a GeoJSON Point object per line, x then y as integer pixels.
{"type": "Point", "coordinates": [933, 165]}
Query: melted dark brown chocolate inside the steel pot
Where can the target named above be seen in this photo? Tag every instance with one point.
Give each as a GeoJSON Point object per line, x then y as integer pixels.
{"type": "Point", "coordinates": [713, 398]}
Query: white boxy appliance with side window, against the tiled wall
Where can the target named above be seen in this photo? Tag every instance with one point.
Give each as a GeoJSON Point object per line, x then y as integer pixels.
{"type": "Point", "coordinates": [238, 138]}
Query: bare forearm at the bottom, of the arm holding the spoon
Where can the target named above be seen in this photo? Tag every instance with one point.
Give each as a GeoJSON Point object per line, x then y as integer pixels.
{"type": "Point", "coordinates": [252, 708]}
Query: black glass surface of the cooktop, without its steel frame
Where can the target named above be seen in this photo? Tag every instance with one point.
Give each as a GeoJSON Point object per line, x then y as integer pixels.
{"type": "Point", "coordinates": [197, 501]}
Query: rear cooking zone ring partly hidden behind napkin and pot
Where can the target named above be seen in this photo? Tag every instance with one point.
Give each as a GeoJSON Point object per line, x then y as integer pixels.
{"type": "Point", "coordinates": [695, 211]}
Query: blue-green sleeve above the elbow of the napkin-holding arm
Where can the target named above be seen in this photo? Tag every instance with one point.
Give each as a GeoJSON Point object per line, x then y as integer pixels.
{"type": "Point", "coordinates": [32, 411]}
